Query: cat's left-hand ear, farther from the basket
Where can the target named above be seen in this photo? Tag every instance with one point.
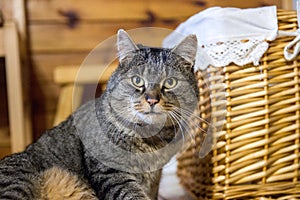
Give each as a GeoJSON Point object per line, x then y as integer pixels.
{"type": "Point", "coordinates": [125, 45]}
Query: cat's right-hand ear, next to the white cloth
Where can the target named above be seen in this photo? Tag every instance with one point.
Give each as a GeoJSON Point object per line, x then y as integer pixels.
{"type": "Point", "coordinates": [187, 48]}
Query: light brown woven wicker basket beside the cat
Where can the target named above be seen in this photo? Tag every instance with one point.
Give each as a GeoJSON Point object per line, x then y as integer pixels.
{"type": "Point", "coordinates": [257, 151]}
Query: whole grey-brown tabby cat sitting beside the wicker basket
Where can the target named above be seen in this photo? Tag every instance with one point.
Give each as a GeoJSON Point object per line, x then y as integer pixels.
{"type": "Point", "coordinates": [113, 147]}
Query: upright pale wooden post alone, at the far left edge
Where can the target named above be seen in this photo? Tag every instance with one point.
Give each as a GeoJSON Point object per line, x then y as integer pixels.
{"type": "Point", "coordinates": [19, 137]}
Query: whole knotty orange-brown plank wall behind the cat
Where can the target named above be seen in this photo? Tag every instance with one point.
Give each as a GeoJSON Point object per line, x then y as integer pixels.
{"type": "Point", "coordinates": [64, 32]}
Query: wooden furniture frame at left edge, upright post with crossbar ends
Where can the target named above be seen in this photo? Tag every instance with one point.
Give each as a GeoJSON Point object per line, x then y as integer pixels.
{"type": "Point", "coordinates": [18, 135]}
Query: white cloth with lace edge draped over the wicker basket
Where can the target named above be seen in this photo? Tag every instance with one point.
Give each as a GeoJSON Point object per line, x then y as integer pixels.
{"type": "Point", "coordinates": [229, 35]}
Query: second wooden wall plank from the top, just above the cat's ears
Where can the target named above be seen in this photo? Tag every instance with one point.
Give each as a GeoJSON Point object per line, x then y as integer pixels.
{"type": "Point", "coordinates": [85, 37]}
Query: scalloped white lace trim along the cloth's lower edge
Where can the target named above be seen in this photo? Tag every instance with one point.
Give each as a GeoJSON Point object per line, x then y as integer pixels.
{"type": "Point", "coordinates": [240, 52]}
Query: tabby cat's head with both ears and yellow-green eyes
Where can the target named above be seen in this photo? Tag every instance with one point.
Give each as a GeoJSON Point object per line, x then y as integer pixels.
{"type": "Point", "coordinates": [153, 86]}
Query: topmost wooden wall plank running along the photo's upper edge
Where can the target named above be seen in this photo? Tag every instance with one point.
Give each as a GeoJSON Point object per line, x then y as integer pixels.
{"type": "Point", "coordinates": [124, 10]}
